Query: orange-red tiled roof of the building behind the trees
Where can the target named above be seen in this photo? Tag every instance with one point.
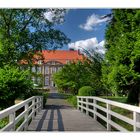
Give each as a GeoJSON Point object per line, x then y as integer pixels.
{"type": "Point", "coordinates": [61, 56]}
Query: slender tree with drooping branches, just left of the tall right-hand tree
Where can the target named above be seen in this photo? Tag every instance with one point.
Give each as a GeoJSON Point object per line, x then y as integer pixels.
{"type": "Point", "coordinates": [93, 66]}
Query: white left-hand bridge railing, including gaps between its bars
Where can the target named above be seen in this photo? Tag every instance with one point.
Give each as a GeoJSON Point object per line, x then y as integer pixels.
{"type": "Point", "coordinates": [19, 115]}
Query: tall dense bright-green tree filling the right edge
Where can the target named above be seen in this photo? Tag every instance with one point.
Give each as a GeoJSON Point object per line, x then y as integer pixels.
{"type": "Point", "coordinates": [121, 66]}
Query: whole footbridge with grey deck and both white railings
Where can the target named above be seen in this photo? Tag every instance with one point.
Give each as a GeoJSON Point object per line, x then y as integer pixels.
{"type": "Point", "coordinates": [61, 117]}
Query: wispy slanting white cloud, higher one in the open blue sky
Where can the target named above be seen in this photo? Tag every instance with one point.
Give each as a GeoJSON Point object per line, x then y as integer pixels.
{"type": "Point", "coordinates": [93, 21]}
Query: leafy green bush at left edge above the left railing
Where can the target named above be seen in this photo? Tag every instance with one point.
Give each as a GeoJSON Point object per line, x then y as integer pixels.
{"type": "Point", "coordinates": [13, 84]}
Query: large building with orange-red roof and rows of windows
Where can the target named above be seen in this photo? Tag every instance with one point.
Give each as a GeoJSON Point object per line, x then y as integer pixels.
{"type": "Point", "coordinates": [52, 62]}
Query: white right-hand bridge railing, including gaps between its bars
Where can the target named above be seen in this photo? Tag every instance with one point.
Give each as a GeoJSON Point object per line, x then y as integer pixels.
{"type": "Point", "coordinates": [106, 110]}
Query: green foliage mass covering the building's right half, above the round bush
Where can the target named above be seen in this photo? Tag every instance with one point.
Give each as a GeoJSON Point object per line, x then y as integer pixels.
{"type": "Point", "coordinates": [75, 75]}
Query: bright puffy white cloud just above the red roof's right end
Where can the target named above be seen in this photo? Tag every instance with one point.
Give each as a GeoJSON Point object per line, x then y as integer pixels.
{"type": "Point", "coordinates": [88, 44]}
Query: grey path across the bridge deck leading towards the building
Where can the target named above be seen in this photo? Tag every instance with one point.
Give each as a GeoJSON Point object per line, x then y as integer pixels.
{"type": "Point", "coordinates": [58, 115]}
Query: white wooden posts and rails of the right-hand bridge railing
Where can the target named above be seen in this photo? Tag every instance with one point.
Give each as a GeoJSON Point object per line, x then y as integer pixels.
{"type": "Point", "coordinates": [83, 104]}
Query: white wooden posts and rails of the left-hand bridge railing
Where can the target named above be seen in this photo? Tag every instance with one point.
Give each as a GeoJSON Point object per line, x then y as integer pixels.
{"type": "Point", "coordinates": [11, 112]}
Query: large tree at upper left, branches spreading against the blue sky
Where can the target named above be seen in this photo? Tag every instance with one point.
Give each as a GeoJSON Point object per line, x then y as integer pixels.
{"type": "Point", "coordinates": [25, 31]}
